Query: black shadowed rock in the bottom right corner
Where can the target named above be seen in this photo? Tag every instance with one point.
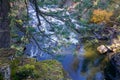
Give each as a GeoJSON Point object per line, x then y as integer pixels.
{"type": "Point", "coordinates": [112, 71]}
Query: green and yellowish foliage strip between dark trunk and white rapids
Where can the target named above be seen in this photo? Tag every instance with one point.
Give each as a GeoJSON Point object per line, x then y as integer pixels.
{"type": "Point", "coordinates": [18, 18]}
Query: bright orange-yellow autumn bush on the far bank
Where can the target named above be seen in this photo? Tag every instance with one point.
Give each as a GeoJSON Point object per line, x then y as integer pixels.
{"type": "Point", "coordinates": [101, 16]}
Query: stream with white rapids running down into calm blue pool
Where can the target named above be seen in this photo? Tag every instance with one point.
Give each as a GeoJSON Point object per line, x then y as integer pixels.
{"type": "Point", "coordinates": [81, 63]}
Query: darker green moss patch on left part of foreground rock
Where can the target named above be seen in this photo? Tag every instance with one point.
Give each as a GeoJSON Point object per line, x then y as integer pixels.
{"type": "Point", "coordinates": [22, 68]}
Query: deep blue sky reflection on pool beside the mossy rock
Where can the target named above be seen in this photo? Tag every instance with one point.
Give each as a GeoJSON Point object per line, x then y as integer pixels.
{"type": "Point", "coordinates": [72, 65]}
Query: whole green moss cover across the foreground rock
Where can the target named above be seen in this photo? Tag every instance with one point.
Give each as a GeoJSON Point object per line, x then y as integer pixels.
{"type": "Point", "coordinates": [43, 70]}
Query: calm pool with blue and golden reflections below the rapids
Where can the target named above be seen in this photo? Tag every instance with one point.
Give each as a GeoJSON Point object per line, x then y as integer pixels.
{"type": "Point", "coordinates": [84, 66]}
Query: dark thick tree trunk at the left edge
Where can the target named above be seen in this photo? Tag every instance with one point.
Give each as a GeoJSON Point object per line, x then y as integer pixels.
{"type": "Point", "coordinates": [4, 24]}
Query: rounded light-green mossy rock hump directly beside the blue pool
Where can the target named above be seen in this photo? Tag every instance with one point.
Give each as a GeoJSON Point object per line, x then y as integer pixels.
{"type": "Point", "coordinates": [50, 70]}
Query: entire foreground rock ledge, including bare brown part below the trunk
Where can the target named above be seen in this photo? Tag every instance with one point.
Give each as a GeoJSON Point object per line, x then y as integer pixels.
{"type": "Point", "coordinates": [21, 68]}
